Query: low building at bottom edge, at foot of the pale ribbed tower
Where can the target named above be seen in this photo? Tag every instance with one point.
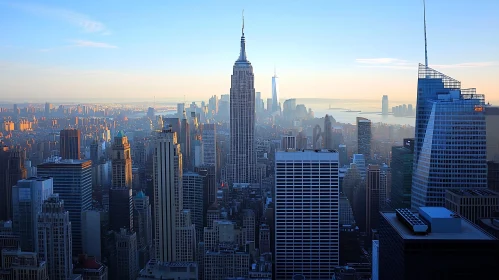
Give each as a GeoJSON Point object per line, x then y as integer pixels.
{"type": "Point", "coordinates": [155, 270]}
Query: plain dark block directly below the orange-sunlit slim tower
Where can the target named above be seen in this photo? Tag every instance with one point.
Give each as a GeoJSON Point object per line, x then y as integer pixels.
{"type": "Point", "coordinates": [120, 208]}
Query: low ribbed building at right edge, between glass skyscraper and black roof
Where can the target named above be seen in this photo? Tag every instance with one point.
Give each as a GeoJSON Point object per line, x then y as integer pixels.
{"type": "Point", "coordinates": [472, 204]}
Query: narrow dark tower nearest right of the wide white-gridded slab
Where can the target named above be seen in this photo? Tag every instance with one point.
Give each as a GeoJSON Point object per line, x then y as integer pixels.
{"type": "Point", "coordinates": [373, 192]}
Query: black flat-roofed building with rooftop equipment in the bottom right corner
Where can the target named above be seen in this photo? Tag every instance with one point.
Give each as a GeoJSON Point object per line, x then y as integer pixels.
{"type": "Point", "coordinates": [437, 244]}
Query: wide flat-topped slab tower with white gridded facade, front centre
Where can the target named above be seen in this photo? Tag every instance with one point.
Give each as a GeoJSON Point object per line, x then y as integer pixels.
{"type": "Point", "coordinates": [314, 206]}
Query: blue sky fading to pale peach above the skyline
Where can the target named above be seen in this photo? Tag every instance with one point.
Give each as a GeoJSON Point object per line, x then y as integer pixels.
{"type": "Point", "coordinates": [131, 50]}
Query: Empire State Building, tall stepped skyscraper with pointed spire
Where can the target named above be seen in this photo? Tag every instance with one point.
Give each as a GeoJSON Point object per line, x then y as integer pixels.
{"type": "Point", "coordinates": [242, 159]}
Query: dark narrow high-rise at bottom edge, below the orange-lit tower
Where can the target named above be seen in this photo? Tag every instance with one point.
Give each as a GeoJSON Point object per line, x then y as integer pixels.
{"type": "Point", "coordinates": [127, 263]}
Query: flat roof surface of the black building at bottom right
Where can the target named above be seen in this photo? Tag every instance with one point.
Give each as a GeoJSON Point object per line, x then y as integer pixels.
{"type": "Point", "coordinates": [468, 231]}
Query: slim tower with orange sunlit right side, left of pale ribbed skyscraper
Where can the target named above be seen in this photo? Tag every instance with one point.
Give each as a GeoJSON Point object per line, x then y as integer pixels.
{"type": "Point", "coordinates": [122, 162]}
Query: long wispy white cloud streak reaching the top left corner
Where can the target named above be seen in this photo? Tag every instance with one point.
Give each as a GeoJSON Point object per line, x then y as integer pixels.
{"type": "Point", "coordinates": [86, 23]}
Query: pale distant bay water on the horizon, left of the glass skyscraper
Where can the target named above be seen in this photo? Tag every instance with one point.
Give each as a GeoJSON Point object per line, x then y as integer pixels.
{"type": "Point", "coordinates": [370, 109]}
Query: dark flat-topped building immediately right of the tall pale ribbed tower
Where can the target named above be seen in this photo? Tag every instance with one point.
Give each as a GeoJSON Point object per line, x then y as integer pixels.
{"type": "Point", "coordinates": [192, 191]}
